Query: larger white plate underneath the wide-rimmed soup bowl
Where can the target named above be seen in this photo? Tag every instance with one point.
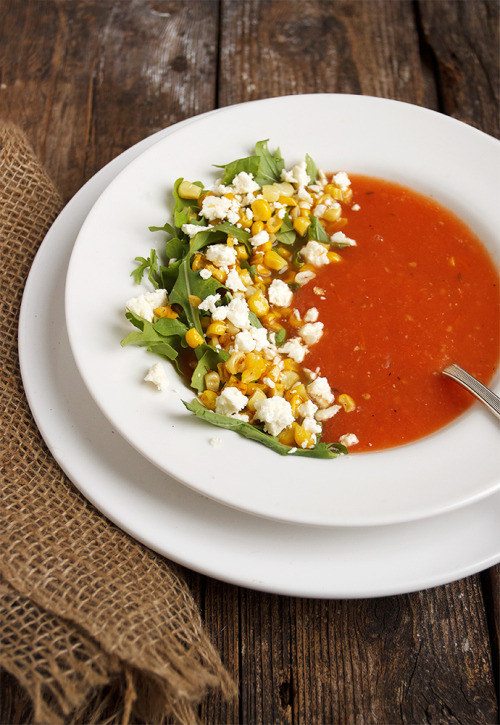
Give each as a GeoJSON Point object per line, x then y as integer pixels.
{"type": "Point", "coordinates": [195, 531]}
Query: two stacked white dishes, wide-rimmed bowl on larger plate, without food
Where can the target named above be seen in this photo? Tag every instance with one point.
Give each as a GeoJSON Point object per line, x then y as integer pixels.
{"type": "Point", "coordinates": [357, 526]}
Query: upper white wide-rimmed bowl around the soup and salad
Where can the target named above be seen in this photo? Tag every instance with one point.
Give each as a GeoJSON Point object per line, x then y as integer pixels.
{"type": "Point", "coordinates": [428, 151]}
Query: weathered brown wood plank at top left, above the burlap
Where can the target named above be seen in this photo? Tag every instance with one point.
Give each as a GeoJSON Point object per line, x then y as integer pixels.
{"type": "Point", "coordinates": [86, 80]}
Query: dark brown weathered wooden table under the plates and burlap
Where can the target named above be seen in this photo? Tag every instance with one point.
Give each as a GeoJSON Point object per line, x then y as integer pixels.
{"type": "Point", "coordinates": [86, 80]}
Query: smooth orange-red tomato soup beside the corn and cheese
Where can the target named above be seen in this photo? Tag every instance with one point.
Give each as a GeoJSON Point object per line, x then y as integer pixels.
{"type": "Point", "coordinates": [417, 292]}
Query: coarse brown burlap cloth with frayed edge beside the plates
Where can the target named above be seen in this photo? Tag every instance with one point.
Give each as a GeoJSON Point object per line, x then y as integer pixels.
{"type": "Point", "coordinates": [95, 627]}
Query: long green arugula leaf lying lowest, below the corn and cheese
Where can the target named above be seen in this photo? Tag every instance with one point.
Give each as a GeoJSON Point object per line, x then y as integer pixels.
{"type": "Point", "coordinates": [321, 450]}
